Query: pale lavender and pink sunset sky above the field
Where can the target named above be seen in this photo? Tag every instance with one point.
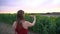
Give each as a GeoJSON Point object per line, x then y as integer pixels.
{"type": "Point", "coordinates": [29, 6]}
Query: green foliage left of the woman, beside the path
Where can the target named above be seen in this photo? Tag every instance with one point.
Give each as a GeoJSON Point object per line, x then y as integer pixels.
{"type": "Point", "coordinates": [7, 18]}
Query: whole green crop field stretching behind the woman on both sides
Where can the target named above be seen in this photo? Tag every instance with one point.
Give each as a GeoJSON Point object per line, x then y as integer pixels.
{"type": "Point", "coordinates": [44, 24]}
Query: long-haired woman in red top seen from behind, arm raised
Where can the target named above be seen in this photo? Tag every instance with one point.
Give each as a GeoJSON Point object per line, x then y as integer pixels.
{"type": "Point", "coordinates": [20, 25]}
